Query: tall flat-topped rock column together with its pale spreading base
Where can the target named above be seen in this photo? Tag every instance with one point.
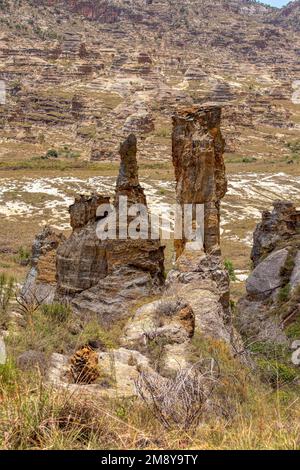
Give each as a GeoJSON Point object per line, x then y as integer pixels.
{"type": "Point", "coordinates": [197, 289]}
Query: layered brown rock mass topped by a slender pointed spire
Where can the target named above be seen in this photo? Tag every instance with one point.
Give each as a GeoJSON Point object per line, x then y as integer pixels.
{"type": "Point", "coordinates": [103, 276]}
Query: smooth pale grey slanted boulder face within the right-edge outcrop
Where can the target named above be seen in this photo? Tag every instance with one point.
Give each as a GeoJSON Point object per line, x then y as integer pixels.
{"type": "Point", "coordinates": [266, 276]}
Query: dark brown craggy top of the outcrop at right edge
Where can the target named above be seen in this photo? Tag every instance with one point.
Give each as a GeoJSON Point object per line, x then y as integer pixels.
{"type": "Point", "coordinates": [276, 226]}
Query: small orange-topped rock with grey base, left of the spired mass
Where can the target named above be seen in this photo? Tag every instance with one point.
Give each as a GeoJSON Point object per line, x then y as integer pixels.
{"type": "Point", "coordinates": [41, 279]}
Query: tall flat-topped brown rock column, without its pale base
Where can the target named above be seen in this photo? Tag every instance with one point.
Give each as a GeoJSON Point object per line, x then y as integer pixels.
{"type": "Point", "coordinates": [197, 149]}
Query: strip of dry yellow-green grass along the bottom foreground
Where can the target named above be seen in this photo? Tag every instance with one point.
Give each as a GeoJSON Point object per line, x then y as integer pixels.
{"type": "Point", "coordinates": [33, 416]}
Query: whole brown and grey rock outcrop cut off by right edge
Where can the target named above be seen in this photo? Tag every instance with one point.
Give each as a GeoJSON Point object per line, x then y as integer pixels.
{"type": "Point", "coordinates": [272, 303]}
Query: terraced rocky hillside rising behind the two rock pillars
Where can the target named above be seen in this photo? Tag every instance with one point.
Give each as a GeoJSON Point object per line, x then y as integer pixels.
{"type": "Point", "coordinates": [83, 74]}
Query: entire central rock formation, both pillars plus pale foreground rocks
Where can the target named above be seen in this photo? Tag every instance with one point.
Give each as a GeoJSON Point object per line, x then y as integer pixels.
{"type": "Point", "coordinates": [106, 277]}
